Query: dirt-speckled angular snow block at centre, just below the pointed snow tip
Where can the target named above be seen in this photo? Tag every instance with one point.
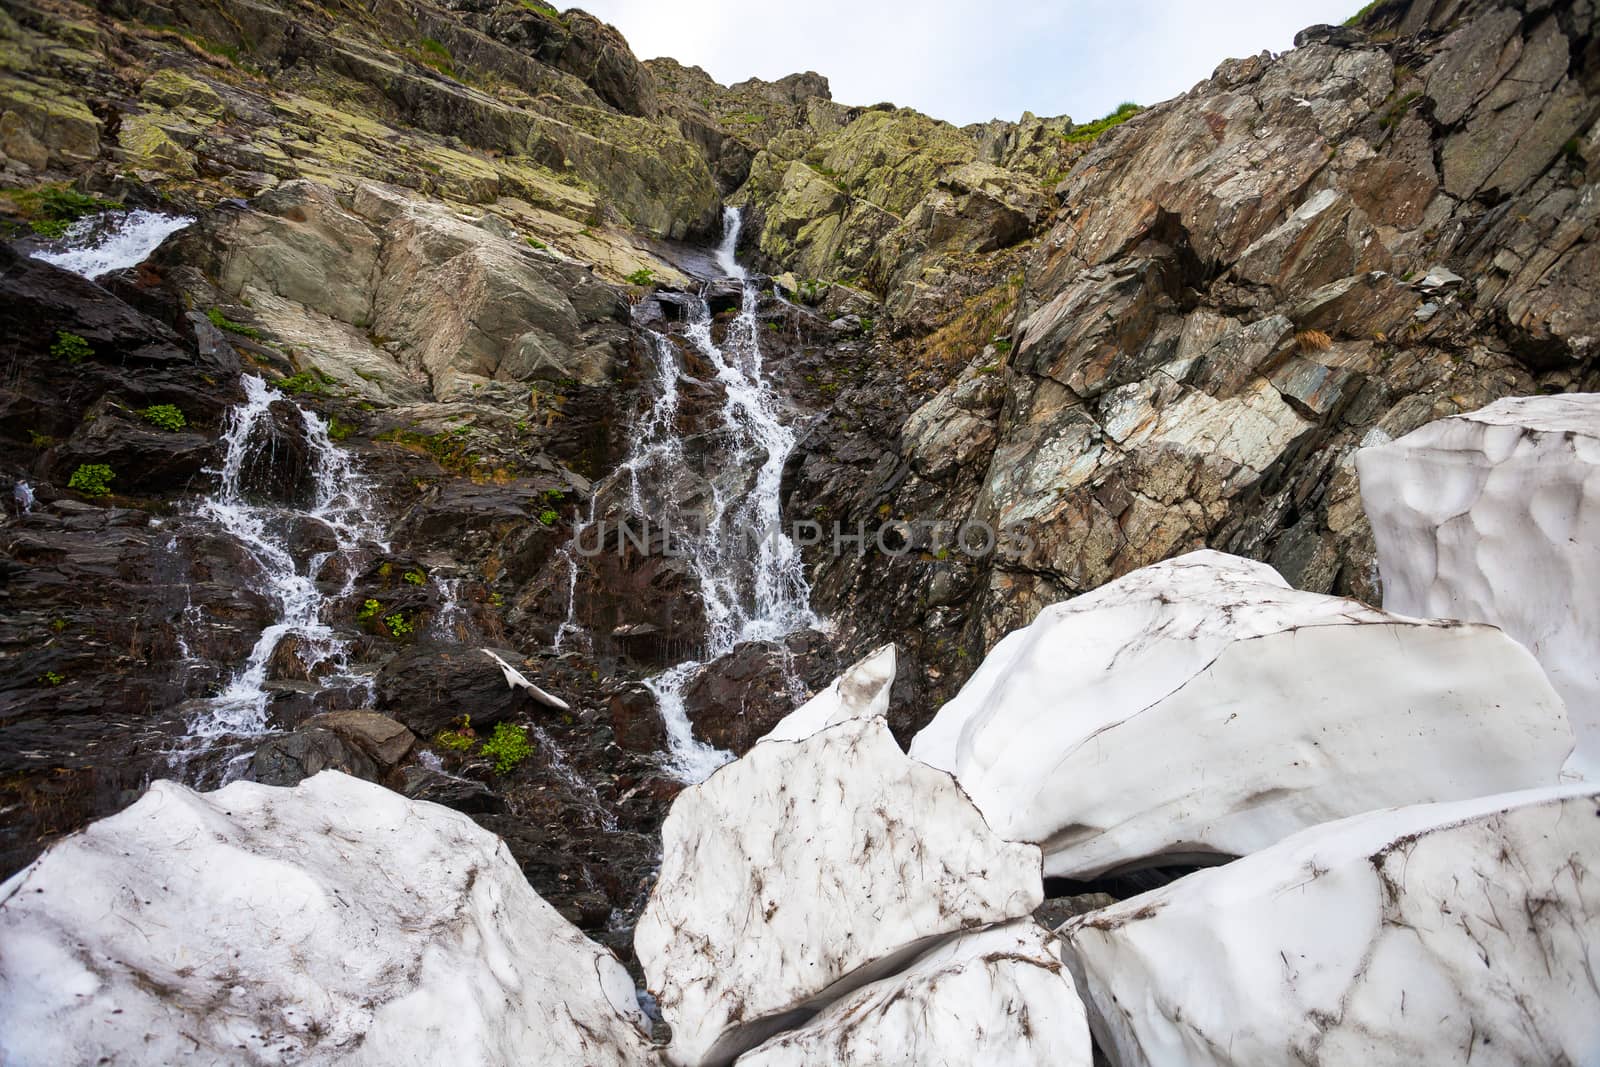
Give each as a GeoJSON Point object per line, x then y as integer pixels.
{"type": "Point", "coordinates": [806, 871]}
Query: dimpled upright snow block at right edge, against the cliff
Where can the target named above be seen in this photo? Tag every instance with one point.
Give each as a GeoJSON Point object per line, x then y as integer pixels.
{"type": "Point", "coordinates": [1495, 518]}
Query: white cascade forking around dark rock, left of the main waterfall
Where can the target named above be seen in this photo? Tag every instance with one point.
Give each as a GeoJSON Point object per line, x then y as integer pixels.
{"type": "Point", "coordinates": [340, 505]}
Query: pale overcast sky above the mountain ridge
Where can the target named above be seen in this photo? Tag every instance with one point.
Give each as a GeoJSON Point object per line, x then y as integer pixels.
{"type": "Point", "coordinates": [977, 60]}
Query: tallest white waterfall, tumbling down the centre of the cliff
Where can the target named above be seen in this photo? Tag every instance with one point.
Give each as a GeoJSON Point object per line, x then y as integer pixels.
{"type": "Point", "coordinates": [746, 569]}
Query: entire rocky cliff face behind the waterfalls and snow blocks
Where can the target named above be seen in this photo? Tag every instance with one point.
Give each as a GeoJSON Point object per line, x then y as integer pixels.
{"type": "Point", "coordinates": [1022, 361]}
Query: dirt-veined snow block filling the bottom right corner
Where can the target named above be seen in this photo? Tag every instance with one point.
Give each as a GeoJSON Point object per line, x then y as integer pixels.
{"type": "Point", "coordinates": [1460, 933]}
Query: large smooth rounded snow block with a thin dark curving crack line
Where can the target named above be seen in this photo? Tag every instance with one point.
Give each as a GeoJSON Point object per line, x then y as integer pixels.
{"type": "Point", "coordinates": [1204, 708]}
